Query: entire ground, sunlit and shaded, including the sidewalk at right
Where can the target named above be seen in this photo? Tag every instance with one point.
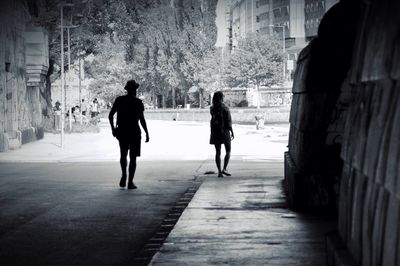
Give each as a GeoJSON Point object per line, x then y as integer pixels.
{"type": "Point", "coordinates": [67, 208]}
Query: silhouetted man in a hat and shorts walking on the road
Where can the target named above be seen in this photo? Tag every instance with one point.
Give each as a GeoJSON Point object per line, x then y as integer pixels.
{"type": "Point", "coordinates": [129, 111]}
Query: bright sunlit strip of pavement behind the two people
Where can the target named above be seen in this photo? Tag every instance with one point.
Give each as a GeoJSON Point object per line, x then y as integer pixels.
{"type": "Point", "coordinates": [169, 140]}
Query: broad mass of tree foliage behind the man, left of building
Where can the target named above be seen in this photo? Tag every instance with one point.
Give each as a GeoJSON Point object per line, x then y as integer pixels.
{"type": "Point", "coordinates": [168, 45]}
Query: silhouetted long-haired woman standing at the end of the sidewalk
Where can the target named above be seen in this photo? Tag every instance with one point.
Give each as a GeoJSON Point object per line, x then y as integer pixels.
{"type": "Point", "coordinates": [221, 131]}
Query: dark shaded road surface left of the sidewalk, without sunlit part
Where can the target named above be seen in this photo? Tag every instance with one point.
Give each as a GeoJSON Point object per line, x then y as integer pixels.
{"type": "Point", "coordinates": [74, 213]}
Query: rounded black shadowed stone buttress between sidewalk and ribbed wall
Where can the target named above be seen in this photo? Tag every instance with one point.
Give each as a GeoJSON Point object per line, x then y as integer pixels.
{"type": "Point", "coordinates": [312, 164]}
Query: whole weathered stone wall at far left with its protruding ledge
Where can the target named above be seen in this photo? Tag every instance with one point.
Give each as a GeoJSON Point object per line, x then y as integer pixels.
{"type": "Point", "coordinates": [23, 67]}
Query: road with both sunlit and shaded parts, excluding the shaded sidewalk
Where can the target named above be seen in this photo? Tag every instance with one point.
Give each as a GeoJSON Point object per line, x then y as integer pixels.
{"type": "Point", "coordinates": [71, 212]}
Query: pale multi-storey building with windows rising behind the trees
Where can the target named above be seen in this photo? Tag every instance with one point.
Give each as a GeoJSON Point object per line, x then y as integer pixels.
{"type": "Point", "coordinates": [293, 21]}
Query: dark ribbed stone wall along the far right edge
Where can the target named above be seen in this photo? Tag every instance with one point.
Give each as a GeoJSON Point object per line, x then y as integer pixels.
{"type": "Point", "coordinates": [369, 202]}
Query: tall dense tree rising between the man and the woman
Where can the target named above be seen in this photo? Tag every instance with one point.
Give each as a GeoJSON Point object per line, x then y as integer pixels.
{"type": "Point", "coordinates": [174, 38]}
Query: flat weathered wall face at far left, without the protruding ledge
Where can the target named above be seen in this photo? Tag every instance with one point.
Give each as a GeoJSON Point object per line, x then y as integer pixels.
{"type": "Point", "coordinates": [13, 18]}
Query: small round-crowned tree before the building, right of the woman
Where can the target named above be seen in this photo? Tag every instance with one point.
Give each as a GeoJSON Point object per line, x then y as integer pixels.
{"type": "Point", "coordinates": [256, 61]}
